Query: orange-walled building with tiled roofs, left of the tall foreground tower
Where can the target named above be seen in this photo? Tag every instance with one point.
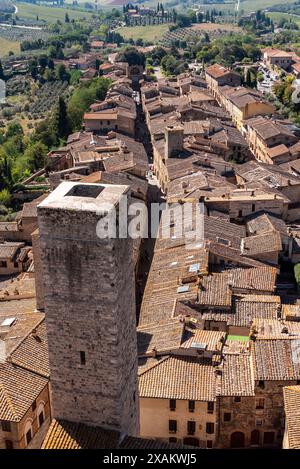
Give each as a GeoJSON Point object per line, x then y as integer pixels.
{"type": "Point", "coordinates": [24, 376]}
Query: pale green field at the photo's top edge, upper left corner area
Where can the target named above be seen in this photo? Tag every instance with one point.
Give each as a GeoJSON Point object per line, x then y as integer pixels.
{"type": "Point", "coordinates": [49, 14]}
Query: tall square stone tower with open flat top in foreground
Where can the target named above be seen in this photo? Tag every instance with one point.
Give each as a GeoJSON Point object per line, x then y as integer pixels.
{"type": "Point", "coordinates": [89, 291]}
